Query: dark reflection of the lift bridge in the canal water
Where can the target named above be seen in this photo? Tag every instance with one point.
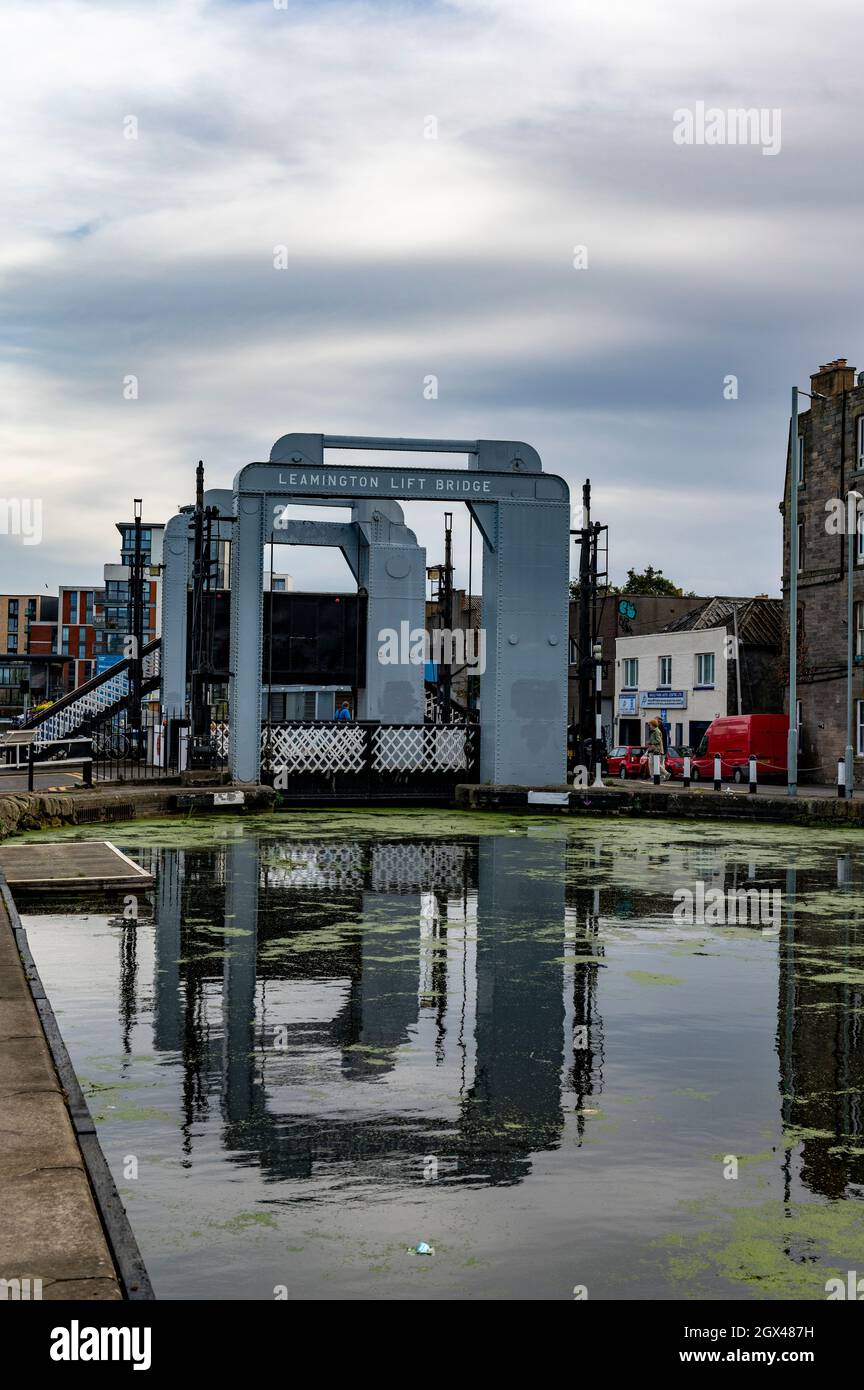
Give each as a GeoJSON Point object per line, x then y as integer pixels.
{"type": "Point", "coordinates": [345, 963]}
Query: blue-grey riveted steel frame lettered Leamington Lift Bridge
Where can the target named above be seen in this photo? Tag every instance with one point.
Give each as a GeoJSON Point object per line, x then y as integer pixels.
{"type": "Point", "coordinates": [523, 516]}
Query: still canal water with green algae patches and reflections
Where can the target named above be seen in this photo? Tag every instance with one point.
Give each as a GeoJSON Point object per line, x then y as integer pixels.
{"type": "Point", "coordinates": [329, 1039]}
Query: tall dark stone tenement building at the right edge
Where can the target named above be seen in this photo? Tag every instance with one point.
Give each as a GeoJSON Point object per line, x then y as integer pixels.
{"type": "Point", "coordinates": [830, 464]}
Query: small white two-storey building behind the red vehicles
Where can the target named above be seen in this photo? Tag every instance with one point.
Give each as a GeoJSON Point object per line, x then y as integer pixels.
{"type": "Point", "coordinates": [684, 675]}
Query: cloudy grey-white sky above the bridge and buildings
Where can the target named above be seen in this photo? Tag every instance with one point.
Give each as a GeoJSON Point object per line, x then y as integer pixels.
{"type": "Point", "coordinates": [430, 170]}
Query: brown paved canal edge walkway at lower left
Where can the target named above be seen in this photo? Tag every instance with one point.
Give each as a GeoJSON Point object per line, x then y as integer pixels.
{"type": "Point", "coordinates": [62, 1220]}
